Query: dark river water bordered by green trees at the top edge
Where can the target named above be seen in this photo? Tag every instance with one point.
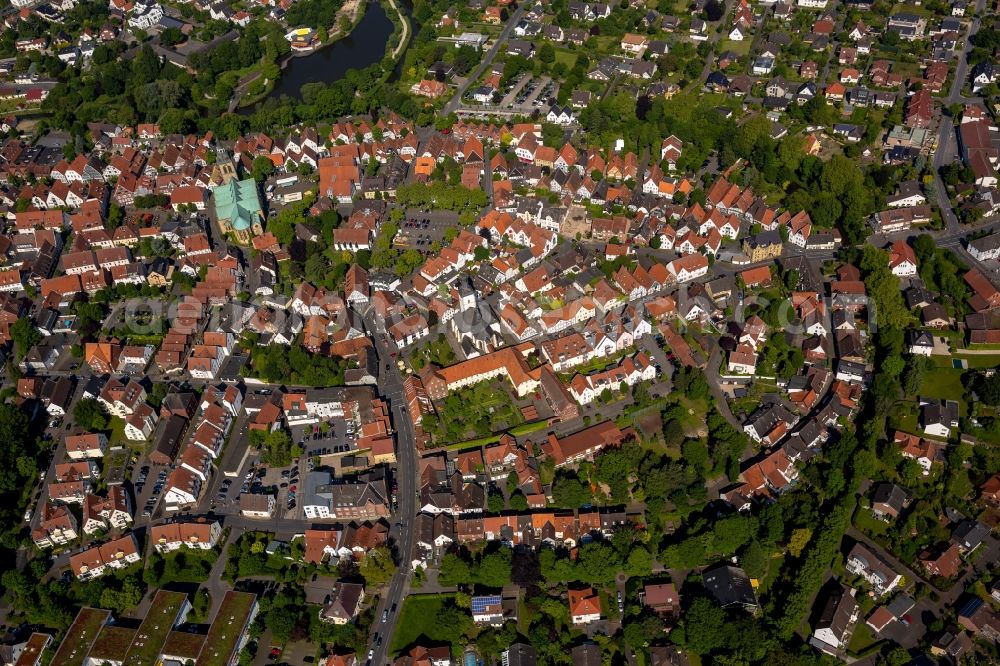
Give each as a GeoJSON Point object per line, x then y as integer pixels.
{"type": "Point", "coordinates": [363, 47]}
